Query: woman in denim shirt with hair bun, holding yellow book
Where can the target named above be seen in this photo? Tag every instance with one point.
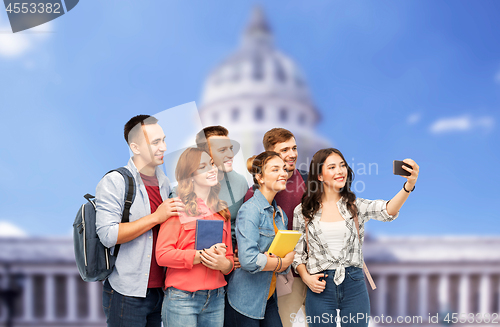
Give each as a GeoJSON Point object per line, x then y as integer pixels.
{"type": "Point", "coordinates": [251, 289]}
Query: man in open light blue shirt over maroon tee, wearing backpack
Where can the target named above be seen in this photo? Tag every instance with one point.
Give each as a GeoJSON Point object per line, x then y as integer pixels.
{"type": "Point", "coordinates": [133, 294]}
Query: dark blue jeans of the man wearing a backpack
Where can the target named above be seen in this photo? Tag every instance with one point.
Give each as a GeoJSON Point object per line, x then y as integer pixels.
{"type": "Point", "coordinates": [124, 311]}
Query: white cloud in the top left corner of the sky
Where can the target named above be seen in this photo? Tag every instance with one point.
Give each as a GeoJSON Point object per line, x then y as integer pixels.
{"type": "Point", "coordinates": [14, 45]}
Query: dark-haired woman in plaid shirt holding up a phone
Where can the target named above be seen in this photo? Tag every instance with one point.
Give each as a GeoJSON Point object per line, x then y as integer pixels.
{"type": "Point", "coordinates": [328, 256]}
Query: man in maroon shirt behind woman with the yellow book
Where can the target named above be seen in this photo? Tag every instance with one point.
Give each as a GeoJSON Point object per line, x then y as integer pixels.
{"type": "Point", "coordinates": [283, 142]}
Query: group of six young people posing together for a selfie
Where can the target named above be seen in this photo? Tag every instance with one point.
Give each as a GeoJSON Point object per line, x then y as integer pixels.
{"type": "Point", "coordinates": [160, 276]}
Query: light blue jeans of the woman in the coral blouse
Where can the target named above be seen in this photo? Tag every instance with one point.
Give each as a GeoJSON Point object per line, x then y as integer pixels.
{"type": "Point", "coordinates": [193, 309]}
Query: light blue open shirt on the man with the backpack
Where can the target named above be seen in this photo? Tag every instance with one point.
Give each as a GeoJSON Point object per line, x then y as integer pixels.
{"type": "Point", "coordinates": [131, 273]}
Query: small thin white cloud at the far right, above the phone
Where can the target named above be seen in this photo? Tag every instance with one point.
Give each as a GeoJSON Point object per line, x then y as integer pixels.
{"type": "Point", "coordinates": [462, 124]}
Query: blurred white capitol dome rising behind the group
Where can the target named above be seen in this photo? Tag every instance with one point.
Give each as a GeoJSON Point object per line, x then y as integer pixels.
{"type": "Point", "coordinates": [258, 88]}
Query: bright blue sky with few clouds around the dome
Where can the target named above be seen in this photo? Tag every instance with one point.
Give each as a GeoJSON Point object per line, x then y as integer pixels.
{"type": "Point", "coordinates": [391, 79]}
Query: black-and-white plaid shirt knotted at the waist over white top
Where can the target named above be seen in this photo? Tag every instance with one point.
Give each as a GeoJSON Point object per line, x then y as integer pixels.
{"type": "Point", "coordinates": [320, 257]}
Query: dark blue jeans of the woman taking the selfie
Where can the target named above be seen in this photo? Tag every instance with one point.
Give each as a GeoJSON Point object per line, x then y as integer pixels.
{"type": "Point", "coordinates": [351, 297]}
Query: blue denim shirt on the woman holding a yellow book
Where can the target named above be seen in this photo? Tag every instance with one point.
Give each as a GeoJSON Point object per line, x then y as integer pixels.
{"type": "Point", "coordinates": [248, 287]}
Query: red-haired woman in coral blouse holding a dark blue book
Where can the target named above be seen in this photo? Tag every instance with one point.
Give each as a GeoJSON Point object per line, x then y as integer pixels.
{"type": "Point", "coordinates": [194, 283]}
